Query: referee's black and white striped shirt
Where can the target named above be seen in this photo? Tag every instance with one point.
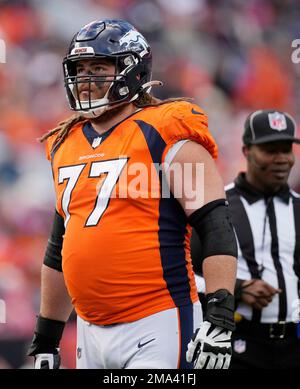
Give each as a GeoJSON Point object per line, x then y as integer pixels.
{"type": "Point", "coordinates": [268, 234]}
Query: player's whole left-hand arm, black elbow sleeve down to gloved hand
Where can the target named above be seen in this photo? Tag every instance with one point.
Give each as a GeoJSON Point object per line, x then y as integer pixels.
{"type": "Point", "coordinates": [56, 305]}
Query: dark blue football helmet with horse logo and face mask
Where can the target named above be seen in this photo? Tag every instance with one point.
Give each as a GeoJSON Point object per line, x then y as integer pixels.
{"type": "Point", "coordinates": [119, 42]}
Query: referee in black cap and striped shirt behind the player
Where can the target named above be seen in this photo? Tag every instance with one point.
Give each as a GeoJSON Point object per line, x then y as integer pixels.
{"type": "Point", "coordinates": [266, 218]}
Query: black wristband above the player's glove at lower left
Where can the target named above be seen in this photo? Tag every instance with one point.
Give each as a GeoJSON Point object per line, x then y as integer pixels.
{"type": "Point", "coordinates": [47, 336]}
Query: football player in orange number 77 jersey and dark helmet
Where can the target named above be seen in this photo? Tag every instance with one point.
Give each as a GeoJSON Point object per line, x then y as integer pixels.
{"type": "Point", "coordinates": [123, 261]}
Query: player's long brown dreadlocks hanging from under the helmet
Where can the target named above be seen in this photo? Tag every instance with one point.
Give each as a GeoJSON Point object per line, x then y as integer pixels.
{"type": "Point", "coordinates": [64, 127]}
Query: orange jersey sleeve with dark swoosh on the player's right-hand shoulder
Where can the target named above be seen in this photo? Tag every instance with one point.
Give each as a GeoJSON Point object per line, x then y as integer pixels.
{"type": "Point", "coordinates": [188, 121]}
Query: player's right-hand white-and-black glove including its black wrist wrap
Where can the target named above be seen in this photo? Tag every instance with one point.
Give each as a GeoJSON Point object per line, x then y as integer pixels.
{"type": "Point", "coordinates": [210, 346]}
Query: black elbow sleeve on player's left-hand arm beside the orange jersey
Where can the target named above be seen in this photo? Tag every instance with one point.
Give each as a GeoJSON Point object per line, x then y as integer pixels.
{"type": "Point", "coordinates": [53, 257]}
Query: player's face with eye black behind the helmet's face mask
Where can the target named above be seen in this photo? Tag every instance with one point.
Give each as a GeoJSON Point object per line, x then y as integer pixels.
{"type": "Point", "coordinates": [97, 89]}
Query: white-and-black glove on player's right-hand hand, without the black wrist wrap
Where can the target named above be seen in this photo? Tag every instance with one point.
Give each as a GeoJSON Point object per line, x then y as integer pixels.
{"type": "Point", "coordinates": [210, 347]}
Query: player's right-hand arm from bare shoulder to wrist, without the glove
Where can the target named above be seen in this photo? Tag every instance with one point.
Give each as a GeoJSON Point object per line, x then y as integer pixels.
{"type": "Point", "coordinates": [219, 264]}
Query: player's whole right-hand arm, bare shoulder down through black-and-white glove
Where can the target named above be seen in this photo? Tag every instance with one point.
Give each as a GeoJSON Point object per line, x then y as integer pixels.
{"type": "Point", "coordinates": [207, 212]}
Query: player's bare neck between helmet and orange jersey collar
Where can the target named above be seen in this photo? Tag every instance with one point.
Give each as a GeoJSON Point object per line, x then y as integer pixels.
{"type": "Point", "coordinates": [106, 121]}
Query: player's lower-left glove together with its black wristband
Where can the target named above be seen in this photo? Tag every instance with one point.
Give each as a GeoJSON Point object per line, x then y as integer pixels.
{"type": "Point", "coordinates": [45, 343]}
